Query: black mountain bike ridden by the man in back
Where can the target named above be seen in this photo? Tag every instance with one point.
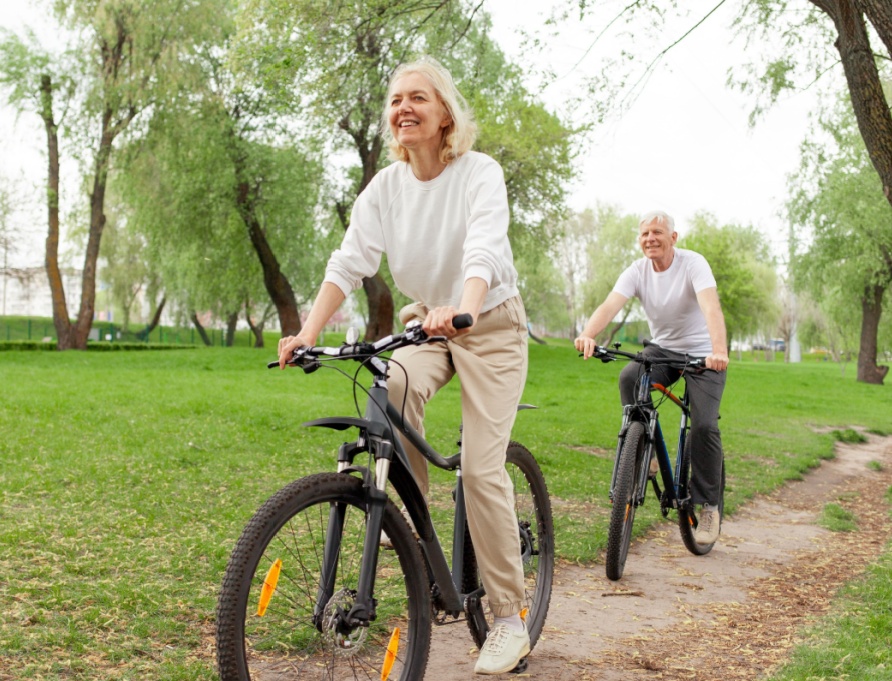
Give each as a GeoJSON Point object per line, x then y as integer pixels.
{"type": "Point", "coordinates": [640, 439]}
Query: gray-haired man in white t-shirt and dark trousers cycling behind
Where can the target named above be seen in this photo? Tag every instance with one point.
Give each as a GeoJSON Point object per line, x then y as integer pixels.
{"type": "Point", "coordinates": [678, 292]}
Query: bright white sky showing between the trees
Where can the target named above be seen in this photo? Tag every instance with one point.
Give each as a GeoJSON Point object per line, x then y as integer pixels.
{"type": "Point", "coordinates": [684, 146]}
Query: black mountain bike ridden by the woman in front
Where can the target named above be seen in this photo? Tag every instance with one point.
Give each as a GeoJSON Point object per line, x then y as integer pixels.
{"type": "Point", "coordinates": [310, 593]}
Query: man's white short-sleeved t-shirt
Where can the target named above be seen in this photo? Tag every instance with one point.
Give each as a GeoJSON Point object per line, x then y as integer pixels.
{"type": "Point", "coordinates": [670, 300]}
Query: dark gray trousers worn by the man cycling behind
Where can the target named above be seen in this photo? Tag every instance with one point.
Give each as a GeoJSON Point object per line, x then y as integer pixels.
{"type": "Point", "coordinates": [705, 390]}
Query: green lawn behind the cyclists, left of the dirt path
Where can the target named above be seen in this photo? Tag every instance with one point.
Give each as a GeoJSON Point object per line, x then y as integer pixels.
{"type": "Point", "coordinates": [125, 479]}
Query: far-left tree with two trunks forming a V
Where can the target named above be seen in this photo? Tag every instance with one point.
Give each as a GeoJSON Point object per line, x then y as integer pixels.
{"type": "Point", "coordinates": [125, 57]}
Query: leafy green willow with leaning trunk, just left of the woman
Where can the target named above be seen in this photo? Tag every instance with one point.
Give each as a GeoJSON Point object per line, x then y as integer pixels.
{"type": "Point", "coordinates": [222, 177]}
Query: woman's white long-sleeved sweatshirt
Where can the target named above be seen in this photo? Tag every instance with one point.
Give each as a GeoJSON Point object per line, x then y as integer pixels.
{"type": "Point", "coordinates": [436, 234]}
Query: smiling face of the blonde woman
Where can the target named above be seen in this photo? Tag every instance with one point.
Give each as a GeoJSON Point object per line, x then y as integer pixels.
{"type": "Point", "coordinates": [417, 117]}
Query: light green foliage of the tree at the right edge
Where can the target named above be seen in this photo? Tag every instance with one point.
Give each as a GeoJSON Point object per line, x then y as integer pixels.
{"type": "Point", "coordinates": [840, 232]}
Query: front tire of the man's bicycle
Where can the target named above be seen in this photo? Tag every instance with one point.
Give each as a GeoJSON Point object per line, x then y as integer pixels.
{"type": "Point", "coordinates": [622, 514]}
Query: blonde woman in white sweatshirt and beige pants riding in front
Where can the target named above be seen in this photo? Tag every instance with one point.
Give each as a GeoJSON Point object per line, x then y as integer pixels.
{"type": "Point", "coordinates": [440, 213]}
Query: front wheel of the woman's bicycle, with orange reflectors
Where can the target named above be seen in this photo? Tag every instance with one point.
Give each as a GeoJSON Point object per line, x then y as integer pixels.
{"type": "Point", "coordinates": [284, 642]}
